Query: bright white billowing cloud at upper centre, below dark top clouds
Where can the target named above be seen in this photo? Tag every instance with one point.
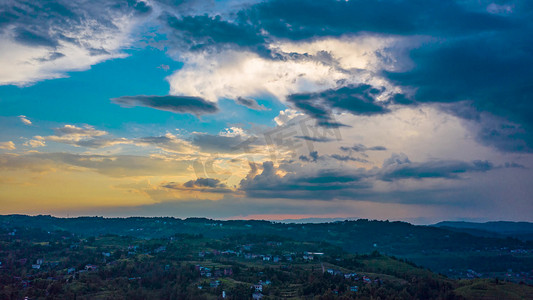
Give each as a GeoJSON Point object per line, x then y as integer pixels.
{"type": "Point", "coordinates": [305, 67]}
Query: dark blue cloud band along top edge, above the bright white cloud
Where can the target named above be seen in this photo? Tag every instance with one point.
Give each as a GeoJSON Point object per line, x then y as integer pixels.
{"type": "Point", "coordinates": [303, 19]}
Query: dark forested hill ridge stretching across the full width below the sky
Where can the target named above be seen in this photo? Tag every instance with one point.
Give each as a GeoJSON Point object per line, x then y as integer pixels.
{"type": "Point", "coordinates": [443, 250]}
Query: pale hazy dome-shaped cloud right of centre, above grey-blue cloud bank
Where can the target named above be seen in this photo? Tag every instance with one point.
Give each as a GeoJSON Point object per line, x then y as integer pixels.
{"type": "Point", "coordinates": [423, 133]}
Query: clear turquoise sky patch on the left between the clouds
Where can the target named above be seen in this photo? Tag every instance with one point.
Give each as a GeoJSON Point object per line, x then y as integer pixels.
{"type": "Point", "coordinates": [85, 97]}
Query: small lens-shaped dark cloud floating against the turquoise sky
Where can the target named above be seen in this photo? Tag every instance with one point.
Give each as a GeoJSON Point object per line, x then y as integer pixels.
{"type": "Point", "coordinates": [178, 104]}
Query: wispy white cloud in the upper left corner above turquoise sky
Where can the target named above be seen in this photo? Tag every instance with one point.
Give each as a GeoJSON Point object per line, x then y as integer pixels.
{"type": "Point", "coordinates": [83, 45]}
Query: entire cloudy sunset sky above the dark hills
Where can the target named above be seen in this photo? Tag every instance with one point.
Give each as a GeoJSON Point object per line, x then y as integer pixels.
{"type": "Point", "coordinates": [418, 110]}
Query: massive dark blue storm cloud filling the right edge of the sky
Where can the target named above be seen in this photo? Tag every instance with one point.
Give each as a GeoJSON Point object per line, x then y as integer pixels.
{"type": "Point", "coordinates": [492, 72]}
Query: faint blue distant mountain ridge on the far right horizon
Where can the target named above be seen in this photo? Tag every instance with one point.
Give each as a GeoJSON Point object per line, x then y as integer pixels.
{"type": "Point", "coordinates": [501, 229]}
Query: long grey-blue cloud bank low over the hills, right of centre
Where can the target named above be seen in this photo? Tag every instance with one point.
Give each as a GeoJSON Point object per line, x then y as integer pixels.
{"type": "Point", "coordinates": [354, 184]}
